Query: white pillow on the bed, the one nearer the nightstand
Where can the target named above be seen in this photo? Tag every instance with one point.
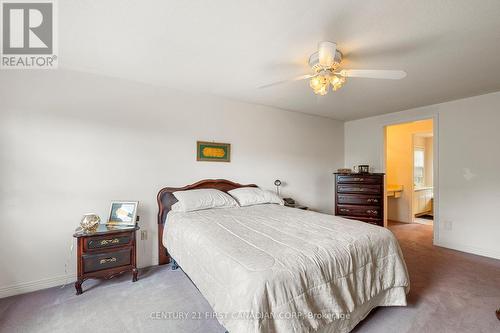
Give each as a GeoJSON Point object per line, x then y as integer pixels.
{"type": "Point", "coordinates": [192, 200]}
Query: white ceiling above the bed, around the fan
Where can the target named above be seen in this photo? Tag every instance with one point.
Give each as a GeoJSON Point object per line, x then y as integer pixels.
{"type": "Point", "coordinates": [449, 48]}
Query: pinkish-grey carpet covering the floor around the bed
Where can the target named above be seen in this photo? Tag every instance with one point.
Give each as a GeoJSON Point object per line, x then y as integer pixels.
{"type": "Point", "coordinates": [450, 292]}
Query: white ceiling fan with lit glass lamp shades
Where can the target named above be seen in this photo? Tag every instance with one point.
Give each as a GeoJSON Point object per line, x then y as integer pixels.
{"type": "Point", "coordinates": [326, 67]}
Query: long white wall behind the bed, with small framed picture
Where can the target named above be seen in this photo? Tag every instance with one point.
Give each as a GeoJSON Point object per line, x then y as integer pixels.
{"type": "Point", "coordinates": [70, 143]}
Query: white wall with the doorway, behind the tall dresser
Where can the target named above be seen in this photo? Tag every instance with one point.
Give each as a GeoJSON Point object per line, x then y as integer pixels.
{"type": "Point", "coordinates": [468, 186]}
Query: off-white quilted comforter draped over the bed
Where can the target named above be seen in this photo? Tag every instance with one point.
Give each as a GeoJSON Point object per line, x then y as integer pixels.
{"type": "Point", "coordinates": [270, 268]}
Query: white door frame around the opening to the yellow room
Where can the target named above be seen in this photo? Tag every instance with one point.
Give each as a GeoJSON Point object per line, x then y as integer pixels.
{"type": "Point", "coordinates": [435, 152]}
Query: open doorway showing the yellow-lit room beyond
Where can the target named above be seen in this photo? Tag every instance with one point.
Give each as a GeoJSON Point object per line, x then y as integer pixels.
{"type": "Point", "coordinates": [410, 169]}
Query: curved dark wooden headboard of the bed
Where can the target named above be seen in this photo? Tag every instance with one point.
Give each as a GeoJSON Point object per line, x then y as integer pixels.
{"type": "Point", "coordinates": [166, 199]}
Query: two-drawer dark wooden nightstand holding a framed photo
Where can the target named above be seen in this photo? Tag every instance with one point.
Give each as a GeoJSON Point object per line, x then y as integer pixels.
{"type": "Point", "coordinates": [105, 253]}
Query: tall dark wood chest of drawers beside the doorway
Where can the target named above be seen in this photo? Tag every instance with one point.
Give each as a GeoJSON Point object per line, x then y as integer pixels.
{"type": "Point", "coordinates": [360, 197]}
